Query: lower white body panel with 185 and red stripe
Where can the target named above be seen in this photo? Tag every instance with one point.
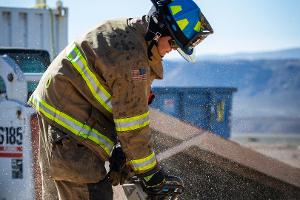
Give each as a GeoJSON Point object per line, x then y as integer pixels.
{"type": "Point", "coordinates": [16, 177]}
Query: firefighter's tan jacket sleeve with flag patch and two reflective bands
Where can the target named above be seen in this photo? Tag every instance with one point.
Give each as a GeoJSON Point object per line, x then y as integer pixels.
{"type": "Point", "coordinates": [131, 117]}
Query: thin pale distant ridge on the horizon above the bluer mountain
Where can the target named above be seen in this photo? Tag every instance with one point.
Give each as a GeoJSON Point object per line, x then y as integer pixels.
{"type": "Point", "coordinates": [273, 55]}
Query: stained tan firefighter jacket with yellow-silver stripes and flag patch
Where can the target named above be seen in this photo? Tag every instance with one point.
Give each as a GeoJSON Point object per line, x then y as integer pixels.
{"type": "Point", "coordinates": [97, 90]}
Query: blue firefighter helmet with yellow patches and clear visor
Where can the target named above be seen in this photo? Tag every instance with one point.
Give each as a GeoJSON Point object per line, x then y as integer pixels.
{"type": "Point", "coordinates": [185, 23]}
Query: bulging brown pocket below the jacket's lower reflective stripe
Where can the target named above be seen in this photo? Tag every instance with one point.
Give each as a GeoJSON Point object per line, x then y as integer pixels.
{"type": "Point", "coordinates": [74, 162]}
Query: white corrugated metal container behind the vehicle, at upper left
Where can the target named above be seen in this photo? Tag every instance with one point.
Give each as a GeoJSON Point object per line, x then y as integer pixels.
{"type": "Point", "coordinates": [33, 28]}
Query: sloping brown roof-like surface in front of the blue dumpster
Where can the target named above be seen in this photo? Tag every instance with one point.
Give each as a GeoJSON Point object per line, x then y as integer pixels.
{"type": "Point", "coordinates": [184, 148]}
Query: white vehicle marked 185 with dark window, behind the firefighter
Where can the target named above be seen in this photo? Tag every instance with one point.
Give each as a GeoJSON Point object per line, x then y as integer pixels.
{"type": "Point", "coordinates": [18, 124]}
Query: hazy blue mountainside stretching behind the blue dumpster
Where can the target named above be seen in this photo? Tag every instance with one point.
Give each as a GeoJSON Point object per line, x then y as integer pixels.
{"type": "Point", "coordinates": [267, 89]}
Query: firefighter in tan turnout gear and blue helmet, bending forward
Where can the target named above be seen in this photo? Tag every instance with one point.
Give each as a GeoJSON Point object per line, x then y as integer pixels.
{"type": "Point", "coordinates": [95, 95]}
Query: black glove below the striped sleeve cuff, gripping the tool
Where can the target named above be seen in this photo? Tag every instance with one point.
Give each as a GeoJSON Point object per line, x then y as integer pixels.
{"type": "Point", "coordinates": [159, 184]}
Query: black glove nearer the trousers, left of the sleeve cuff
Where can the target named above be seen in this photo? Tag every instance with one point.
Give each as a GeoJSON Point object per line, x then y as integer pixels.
{"type": "Point", "coordinates": [119, 172]}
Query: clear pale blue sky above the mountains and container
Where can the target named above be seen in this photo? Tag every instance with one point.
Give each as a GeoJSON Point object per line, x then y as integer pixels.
{"type": "Point", "coordinates": [240, 25]}
